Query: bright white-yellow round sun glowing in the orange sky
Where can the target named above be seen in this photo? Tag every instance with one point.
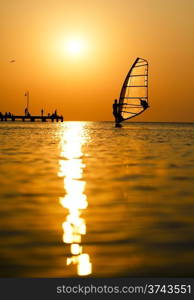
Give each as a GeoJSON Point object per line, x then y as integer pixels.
{"type": "Point", "coordinates": [75, 46]}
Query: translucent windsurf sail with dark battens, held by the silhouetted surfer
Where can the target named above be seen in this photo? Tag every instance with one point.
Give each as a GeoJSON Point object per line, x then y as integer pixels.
{"type": "Point", "coordinates": [134, 93]}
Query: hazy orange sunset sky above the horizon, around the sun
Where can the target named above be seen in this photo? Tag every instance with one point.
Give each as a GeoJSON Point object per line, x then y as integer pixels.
{"type": "Point", "coordinates": [73, 56]}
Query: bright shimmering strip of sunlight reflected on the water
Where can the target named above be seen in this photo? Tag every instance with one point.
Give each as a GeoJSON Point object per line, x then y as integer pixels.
{"type": "Point", "coordinates": [71, 168]}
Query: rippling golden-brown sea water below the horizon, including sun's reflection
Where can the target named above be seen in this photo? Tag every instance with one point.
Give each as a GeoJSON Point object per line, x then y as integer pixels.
{"type": "Point", "coordinates": [88, 199]}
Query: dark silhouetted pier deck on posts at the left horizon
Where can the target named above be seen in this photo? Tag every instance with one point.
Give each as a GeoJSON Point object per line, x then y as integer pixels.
{"type": "Point", "coordinates": [30, 118]}
